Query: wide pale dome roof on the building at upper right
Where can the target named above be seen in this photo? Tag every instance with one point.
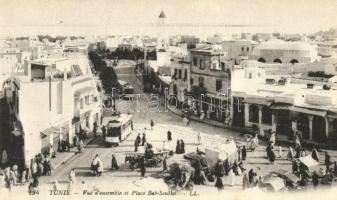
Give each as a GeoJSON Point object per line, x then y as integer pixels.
{"type": "Point", "coordinates": [283, 45]}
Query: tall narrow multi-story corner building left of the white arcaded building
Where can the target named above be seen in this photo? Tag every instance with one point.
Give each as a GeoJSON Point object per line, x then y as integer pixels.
{"type": "Point", "coordinates": [210, 82]}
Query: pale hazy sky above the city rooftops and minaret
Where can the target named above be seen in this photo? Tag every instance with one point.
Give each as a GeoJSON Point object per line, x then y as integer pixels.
{"type": "Point", "coordinates": [20, 16]}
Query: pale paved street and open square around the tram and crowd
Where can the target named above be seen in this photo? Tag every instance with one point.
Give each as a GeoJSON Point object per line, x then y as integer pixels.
{"type": "Point", "coordinates": [163, 122]}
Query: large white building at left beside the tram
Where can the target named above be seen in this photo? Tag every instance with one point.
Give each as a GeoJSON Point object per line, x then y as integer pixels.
{"type": "Point", "coordinates": [53, 100]}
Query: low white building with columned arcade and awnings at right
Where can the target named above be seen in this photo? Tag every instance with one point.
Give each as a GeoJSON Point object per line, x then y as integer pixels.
{"type": "Point", "coordinates": [284, 103]}
